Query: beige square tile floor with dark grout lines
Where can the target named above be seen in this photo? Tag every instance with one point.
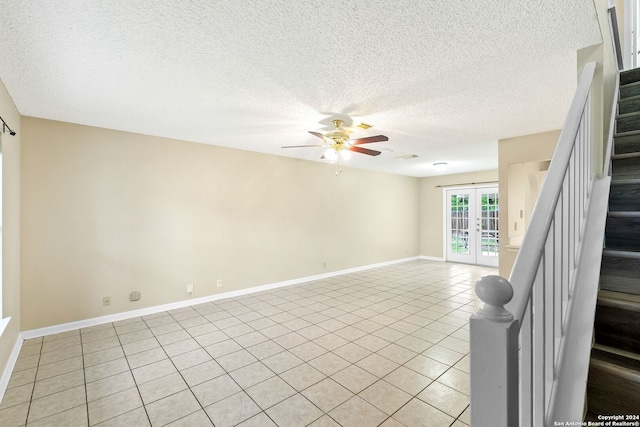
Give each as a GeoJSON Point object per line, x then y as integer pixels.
{"type": "Point", "coordinates": [386, 346]}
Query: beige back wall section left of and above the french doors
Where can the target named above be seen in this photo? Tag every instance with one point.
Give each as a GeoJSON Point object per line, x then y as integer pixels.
{"type": "Point", "coordinates": [431, 207]}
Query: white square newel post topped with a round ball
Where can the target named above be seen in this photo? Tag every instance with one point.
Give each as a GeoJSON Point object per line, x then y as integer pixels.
{"type": "Point", "coordinates": [494, 357]}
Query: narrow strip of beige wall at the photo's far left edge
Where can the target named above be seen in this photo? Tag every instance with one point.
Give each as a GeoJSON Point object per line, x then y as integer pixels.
{"type": "Point", "coordinates": [10, 226]}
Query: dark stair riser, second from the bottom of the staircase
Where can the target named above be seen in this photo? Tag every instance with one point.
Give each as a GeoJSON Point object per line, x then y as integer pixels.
{"type": "Point", "coordinates": [617, 327]}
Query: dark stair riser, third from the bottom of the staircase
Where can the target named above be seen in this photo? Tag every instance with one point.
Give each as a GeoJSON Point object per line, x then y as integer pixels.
{"type": "Point", "coordinates": [620, 275]}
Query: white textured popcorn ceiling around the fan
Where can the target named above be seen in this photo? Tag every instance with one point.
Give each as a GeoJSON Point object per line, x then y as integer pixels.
{"type": "Point", "coordinates": [442, 79]}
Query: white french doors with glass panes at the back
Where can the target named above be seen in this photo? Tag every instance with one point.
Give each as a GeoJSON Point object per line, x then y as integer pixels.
{"type": "Point", "coordinates": [472, 225]}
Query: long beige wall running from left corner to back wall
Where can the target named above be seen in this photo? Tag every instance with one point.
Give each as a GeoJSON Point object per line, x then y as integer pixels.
{"type": "Point", "coordinates": [105, 213]}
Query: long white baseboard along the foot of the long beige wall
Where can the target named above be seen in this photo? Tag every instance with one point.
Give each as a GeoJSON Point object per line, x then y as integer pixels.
{"type": "Point", "coordinates": [50, 330]}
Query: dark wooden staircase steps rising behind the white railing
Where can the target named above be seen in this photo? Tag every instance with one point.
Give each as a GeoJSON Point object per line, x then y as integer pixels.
{"type": "Point", "coordinates": [614, 374]}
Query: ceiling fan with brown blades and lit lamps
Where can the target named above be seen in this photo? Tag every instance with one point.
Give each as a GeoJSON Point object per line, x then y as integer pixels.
{"type": "Point", "coordinates": [339, 144]}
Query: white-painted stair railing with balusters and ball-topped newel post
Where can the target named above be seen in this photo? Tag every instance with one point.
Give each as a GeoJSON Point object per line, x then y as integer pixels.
{"type": "Point", "coordinates": [518, 339]}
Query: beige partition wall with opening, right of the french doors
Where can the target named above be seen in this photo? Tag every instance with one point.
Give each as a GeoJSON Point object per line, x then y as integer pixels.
{"type": "Point", "coordinates": [528, 148]}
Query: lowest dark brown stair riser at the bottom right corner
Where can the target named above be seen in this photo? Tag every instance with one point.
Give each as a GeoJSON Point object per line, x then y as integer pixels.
{"type": "Point", "coordinates": [608, 392]}
